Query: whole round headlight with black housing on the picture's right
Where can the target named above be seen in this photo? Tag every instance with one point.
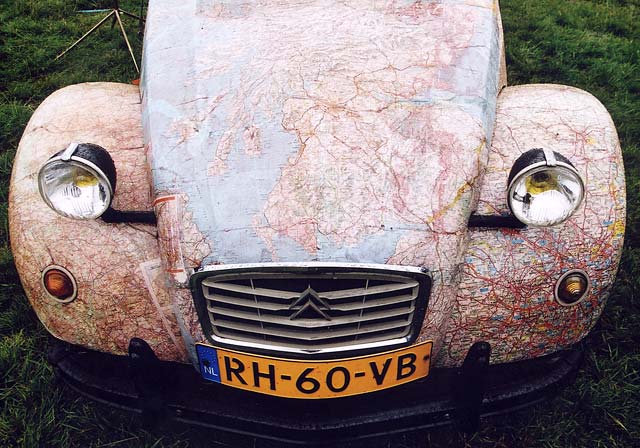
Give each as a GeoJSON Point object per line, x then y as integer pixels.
{"type": "Point", "coordinates": [544, 188]}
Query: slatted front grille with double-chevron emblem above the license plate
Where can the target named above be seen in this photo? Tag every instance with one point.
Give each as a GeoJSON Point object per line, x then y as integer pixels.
{"type": "Point", "coordinates": [313, 310]}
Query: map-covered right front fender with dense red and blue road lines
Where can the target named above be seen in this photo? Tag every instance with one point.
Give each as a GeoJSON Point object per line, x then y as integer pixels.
{"type": "Point", "coordinates": [506, 295]}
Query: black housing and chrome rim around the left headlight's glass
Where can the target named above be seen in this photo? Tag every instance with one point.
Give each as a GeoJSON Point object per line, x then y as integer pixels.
{"type": "Point", "coordinates": [90, 157]}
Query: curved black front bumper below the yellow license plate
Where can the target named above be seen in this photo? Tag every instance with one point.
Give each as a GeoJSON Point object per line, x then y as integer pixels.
{"type": "Point", "coordinates": [176, 391]}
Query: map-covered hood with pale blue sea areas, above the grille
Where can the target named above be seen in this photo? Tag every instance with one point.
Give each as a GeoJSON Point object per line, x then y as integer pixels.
{"type": "Point", "coordinates": [323, 130]}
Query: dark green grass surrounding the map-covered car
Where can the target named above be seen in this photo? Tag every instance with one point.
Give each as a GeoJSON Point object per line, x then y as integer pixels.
{"type": "Point", "coordinates": [589, 44]}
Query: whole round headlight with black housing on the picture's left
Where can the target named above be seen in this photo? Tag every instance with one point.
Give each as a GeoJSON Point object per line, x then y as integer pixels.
{"type": "Point", "coordinates": [78, 182]}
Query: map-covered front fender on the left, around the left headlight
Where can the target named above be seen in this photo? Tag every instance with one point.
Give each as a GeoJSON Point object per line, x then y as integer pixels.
{"type": "Point", "coordinates": [121, 290]}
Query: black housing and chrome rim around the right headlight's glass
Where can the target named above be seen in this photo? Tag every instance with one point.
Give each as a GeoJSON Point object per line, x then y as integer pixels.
{"type": "Point", "coordinates": [538, 160]}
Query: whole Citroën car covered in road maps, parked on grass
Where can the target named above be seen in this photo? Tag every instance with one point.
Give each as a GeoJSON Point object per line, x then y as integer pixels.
{"type": "Point", "coordinates": [319, 221]}
